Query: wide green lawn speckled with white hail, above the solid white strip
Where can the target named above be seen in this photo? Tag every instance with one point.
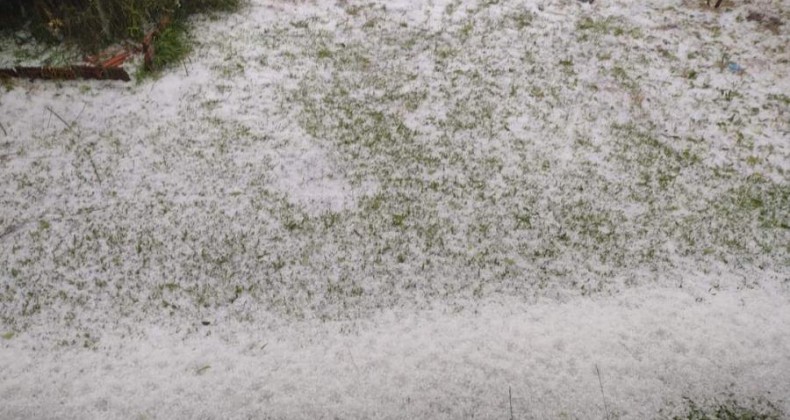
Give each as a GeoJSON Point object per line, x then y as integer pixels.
{"type": "Point", "coordinates": [480, 165]}
